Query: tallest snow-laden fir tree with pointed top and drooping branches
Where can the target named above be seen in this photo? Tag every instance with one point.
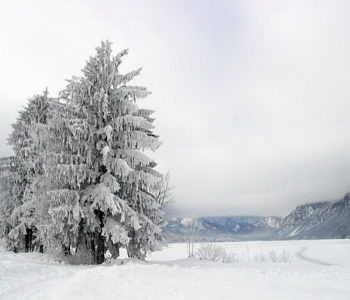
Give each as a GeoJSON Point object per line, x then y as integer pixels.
{"type": "Point", "coordinates": [103, 185]}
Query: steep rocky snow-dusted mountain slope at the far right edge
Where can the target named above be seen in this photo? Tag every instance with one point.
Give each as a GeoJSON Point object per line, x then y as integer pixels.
{"type": "Point", "coordinates": [319, 220]}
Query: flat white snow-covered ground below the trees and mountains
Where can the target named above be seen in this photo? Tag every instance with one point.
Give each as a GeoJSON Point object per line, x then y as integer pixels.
{"type": "Point", "coordinates": [317, 270]}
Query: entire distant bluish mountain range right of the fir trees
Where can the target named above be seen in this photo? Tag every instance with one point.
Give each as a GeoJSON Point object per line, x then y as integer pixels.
{"type": "Point", "coordinates": [320, 220]}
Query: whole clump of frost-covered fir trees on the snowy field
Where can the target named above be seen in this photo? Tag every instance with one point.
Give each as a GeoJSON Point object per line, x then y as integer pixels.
{"type": "Point", "coordinates": [80, 179]}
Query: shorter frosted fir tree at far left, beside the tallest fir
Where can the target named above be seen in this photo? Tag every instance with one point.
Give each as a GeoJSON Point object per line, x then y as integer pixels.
{"type": "Point", "coordinates": [28, 140]}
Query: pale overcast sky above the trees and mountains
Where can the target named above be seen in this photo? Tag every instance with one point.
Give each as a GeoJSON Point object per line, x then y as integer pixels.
{"type": "Point", "coordinates": [252, 98]}
